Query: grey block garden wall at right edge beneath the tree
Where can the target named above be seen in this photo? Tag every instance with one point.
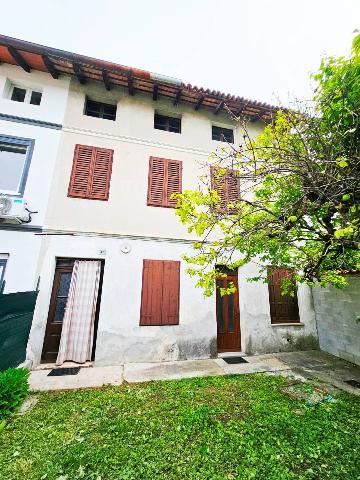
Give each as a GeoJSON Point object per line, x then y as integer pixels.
{"type": "Point", "coordinates": [336, 315]}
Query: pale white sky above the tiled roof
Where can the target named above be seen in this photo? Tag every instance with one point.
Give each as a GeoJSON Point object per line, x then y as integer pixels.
{"type": "Point", "coordinates": [262, 50]}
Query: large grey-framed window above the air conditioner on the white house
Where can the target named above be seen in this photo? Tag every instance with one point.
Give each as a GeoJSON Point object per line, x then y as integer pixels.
{"type": "Point", "coordinates": [15, 157]}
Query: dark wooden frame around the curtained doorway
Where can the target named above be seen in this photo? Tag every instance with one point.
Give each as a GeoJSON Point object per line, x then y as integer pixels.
{"type": "Point", "coordinates": [52, 305]}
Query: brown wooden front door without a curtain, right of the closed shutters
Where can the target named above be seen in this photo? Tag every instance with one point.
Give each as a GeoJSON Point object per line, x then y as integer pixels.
{"type": "Point", "coordinates": [228, 315]}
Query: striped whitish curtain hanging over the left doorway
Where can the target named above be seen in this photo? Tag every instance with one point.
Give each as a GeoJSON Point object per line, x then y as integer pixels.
{"type": "Point", "coordinates": [78, 323]}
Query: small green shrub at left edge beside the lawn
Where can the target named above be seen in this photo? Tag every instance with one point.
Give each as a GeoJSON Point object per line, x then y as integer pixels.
{"type": "Point", "coordinates": [14, 388]}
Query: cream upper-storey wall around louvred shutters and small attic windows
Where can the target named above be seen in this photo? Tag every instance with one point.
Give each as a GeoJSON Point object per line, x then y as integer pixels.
{"type": "Point", "coordinates": [133, 138]}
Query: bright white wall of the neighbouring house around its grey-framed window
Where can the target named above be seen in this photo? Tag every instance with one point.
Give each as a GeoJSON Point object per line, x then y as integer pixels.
{"type": "Point", "coordinates": [40, 124]}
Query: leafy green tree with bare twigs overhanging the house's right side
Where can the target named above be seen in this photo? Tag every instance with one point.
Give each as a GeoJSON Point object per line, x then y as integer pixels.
{"type": "Point", "coordinates": [299, 190]}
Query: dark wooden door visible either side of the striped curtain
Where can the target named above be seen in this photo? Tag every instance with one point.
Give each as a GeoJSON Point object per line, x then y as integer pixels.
{"type": "Point", "coordinates": [58, 301]}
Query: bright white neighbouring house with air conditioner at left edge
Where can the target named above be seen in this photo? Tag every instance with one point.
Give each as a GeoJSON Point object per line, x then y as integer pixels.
{"type": "Point", "coordinates": [32, 107]}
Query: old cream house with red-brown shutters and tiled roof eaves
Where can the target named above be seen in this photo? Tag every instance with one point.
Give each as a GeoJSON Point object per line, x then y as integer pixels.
{"type": "Point", "coordinates": [129, 139]}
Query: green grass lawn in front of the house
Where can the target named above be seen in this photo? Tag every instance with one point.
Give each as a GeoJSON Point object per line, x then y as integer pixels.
{"type": "Point", "coordinates": [238, 427]}
